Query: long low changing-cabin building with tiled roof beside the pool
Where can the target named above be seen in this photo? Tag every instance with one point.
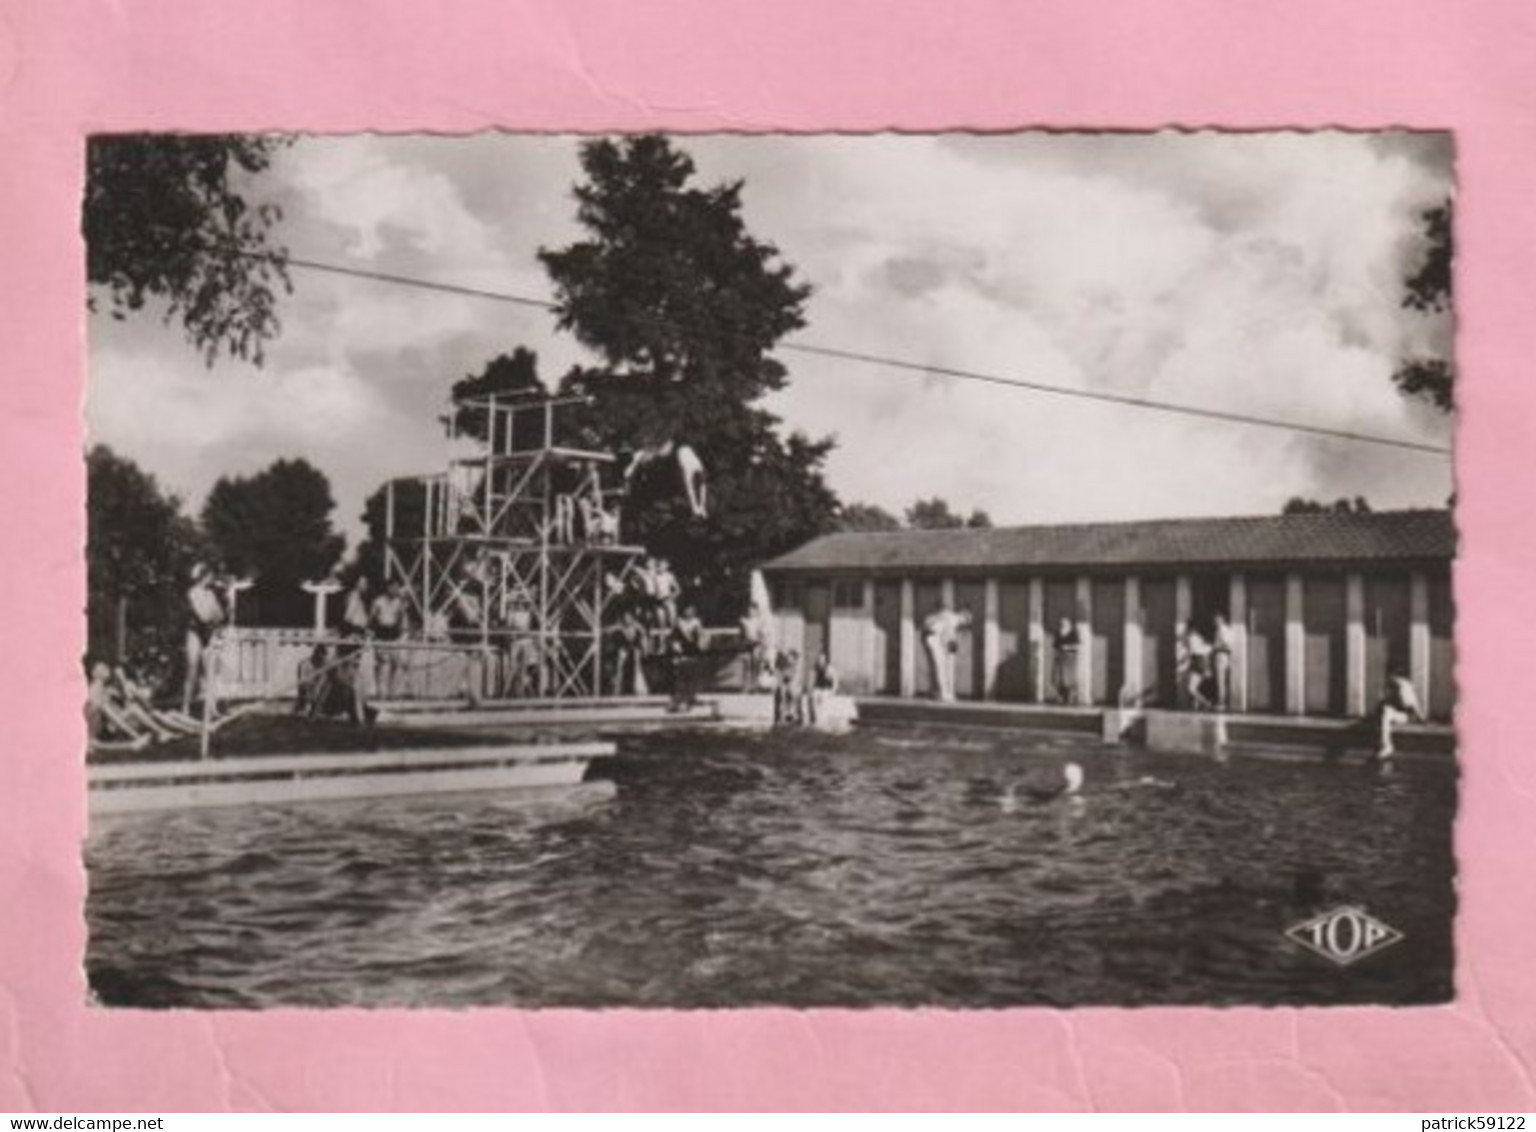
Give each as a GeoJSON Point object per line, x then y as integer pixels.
{"type": "Point", "coordinates": [1317, 607]}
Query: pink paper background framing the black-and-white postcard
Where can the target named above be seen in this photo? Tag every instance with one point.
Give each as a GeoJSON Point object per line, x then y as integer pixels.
{"type": "Point", "coordinates": [71, 67]}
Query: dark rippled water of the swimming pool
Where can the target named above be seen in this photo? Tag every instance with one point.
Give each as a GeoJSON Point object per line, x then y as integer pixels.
{"type": "Point", "coordinates": [876, 869]}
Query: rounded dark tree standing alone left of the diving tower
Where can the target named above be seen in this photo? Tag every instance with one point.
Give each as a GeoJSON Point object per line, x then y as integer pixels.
{"type": "Point", "coordinates": [276, 529]}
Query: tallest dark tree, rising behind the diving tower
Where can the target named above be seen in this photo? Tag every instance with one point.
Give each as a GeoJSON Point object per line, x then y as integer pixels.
{"type": "Point", "coordinates": [683, 308]}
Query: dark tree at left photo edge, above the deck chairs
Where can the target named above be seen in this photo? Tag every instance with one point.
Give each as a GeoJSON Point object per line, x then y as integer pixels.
{"type": "Point", "coordinates": [139, 555]}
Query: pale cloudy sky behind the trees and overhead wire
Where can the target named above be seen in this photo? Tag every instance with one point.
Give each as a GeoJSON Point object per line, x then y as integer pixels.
{"type": "Point", "coordinates": [1259, 274]}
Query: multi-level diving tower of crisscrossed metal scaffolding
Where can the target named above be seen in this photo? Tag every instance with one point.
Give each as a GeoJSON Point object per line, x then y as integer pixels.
{"type": "Point", "coordinates": [518, 551]}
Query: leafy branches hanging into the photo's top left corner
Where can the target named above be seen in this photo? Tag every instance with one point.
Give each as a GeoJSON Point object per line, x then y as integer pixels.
{"type": "Point", "coordinates": [170, 217]}
